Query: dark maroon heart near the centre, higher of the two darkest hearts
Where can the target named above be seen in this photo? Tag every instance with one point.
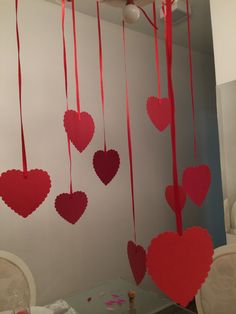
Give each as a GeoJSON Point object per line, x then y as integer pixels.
{"type": "Point", "coordinates": [106, 164]}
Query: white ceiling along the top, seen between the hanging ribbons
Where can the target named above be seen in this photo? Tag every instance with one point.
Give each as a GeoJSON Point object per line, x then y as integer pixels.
{"type": "Point", "coordinates": [200, 22]}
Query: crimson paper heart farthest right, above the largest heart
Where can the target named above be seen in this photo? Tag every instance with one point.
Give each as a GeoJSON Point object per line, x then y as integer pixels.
{"type": "Point", "coordinates": [196, 182]}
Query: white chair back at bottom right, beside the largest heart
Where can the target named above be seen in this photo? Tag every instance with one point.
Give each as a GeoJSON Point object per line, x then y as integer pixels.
{"type": "Point", "coordinates": [218, 294]}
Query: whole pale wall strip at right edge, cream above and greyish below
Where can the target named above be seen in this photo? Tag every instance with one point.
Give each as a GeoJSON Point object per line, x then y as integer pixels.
{"type": "Point", "coordinates": [223, 15]}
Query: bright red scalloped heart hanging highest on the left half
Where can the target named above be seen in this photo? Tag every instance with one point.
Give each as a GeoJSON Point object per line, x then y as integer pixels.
{"type": "Point", "coordinates": [80, 129]}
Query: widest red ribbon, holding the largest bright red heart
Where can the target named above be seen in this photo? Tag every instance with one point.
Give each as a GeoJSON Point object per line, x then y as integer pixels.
{"type": "Point", "coordinates": [169, 48]}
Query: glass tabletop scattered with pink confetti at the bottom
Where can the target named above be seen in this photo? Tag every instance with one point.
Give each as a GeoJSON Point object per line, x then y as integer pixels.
{"type": "Point", "coordinates": [112, 297]}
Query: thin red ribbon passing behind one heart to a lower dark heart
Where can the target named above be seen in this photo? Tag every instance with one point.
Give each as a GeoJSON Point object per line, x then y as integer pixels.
{"type": "Point", "coordinates": [66, 86]}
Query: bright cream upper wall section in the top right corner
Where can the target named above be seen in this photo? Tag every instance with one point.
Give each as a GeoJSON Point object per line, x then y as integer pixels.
{"type": "Point", "coordinates": [223, 15]}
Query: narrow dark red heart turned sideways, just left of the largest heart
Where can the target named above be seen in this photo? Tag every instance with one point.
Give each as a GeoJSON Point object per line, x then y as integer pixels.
{"type": "Point", "coordinates": [137, 261]}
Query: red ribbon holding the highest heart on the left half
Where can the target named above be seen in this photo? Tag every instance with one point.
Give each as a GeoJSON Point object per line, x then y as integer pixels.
{"type": "Point", "coordinates": [75, 58]}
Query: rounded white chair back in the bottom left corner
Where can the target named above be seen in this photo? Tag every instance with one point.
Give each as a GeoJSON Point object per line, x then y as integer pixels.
{"type": "Point", "coordinates": [16, 282]}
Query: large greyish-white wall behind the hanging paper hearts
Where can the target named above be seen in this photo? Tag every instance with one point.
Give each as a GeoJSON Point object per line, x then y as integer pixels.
{"type": "Point", "coordinates": [66, 258]}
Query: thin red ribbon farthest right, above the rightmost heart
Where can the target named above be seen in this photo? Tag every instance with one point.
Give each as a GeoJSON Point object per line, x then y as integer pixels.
{"type": "Point", "coordinates": [191, 80]}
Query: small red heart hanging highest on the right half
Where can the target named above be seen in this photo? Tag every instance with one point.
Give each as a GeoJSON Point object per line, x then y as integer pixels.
{"type": "Point", "coordinates": [159, 111]}
